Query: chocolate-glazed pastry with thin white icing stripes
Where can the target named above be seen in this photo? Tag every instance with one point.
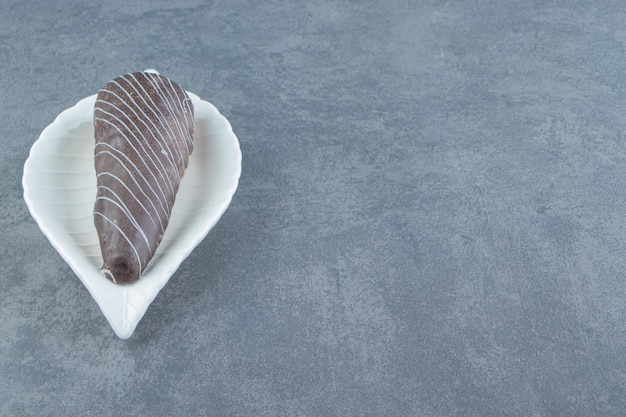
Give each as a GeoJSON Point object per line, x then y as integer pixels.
{"type": "Point", "coordinates": [144, 127]}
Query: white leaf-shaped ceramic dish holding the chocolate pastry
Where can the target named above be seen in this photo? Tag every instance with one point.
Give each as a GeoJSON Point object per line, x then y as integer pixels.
{"type": "Point", "coordinates": [60, 187]}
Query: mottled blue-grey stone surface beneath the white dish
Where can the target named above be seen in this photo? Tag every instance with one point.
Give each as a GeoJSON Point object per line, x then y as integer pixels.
{"type": "Point", "coordinates": [431, 218]}
